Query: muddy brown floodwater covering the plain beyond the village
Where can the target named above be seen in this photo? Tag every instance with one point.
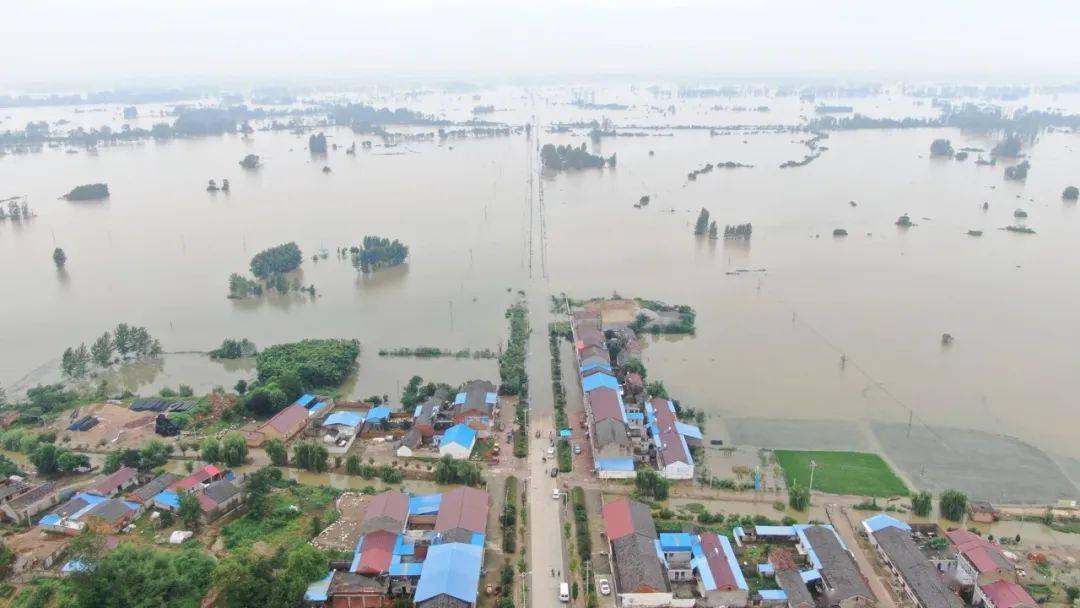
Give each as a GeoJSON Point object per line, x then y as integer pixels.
{"type": "Point", "coordinates": [159, 253]}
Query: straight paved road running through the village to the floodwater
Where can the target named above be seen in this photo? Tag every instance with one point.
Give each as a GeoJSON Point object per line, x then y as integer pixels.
{"type": "Point", "coordinates": [546, 537]}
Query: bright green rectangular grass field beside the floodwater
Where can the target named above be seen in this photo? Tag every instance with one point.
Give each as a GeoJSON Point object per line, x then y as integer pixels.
{"type": "Point", "coordinates": [842, 472]}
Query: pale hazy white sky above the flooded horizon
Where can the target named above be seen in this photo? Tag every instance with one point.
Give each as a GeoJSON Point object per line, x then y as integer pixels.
{"type": "Point", "coordinates": [152, 42]}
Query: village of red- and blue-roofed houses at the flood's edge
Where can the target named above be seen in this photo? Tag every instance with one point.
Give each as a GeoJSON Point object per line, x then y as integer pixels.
{"type": "Point", "coordinates": [597, 495]}
